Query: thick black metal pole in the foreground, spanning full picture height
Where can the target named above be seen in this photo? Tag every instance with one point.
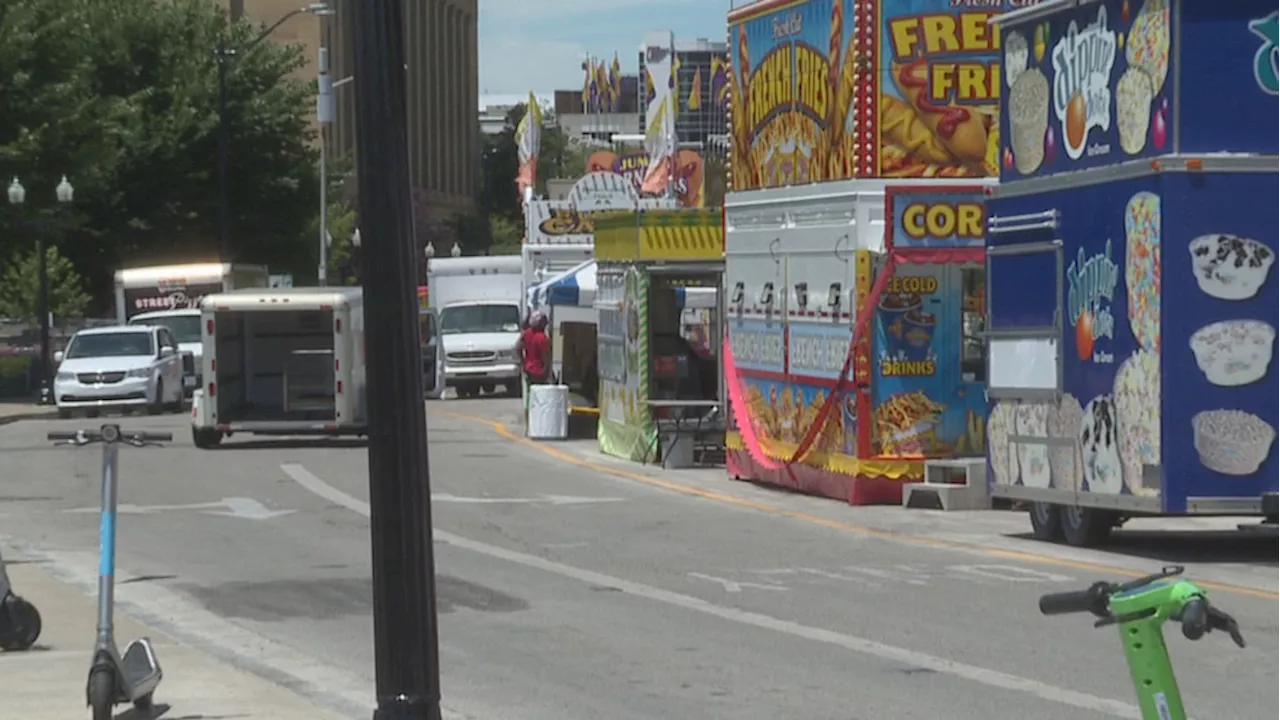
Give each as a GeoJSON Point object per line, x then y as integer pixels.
{"type": "Point", "coordinates": [405, 623]}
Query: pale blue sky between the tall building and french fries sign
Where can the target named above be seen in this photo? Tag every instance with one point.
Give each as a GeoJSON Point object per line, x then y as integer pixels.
{"type": "Point", "coordinates": [540, 45]}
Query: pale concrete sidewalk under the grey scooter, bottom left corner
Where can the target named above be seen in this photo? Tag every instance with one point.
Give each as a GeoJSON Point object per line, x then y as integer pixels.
{"type": "Point", "coordinates": [48, 682]}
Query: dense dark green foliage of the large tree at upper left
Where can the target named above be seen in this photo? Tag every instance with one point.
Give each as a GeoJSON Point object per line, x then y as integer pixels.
{"type": "Point", "coordinates": [122, 98]}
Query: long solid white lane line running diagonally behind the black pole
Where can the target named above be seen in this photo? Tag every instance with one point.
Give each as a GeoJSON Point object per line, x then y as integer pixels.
{"type": "Point", "coordinates": [973, 673]}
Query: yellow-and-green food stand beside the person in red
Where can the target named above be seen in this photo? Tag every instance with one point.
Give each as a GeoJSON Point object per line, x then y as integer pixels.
{"type": "Point", "coordinates": [659, 281]}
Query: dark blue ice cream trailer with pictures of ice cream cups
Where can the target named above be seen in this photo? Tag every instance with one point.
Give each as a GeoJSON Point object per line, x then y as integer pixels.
{"type": "Point", "coordinates": [1139, 203]}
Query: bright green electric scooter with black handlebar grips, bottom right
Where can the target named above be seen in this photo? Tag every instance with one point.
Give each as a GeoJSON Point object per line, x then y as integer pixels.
{"type": "Point", "coordinates": [1141, 608]}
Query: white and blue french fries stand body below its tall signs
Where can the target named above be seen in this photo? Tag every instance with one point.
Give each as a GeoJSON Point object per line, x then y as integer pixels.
{"type": "Point", "coordinates": [853, 354]}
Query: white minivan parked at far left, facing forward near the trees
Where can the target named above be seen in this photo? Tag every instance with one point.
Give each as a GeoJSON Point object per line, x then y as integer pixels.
{"type": "Point", "coordinates": [125, 368]}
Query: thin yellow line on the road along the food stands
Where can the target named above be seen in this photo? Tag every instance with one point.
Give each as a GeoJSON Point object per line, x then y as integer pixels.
{"type": "Point", "coordinates": [894, 536]}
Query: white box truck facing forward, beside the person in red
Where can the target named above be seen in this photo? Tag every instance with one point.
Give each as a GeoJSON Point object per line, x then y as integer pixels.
{"type": "Point", "coordinates": [479, 304]}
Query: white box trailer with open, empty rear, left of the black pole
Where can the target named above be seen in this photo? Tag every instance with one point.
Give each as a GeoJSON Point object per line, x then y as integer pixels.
{"type": "Point", "coordinates": [282, 362]}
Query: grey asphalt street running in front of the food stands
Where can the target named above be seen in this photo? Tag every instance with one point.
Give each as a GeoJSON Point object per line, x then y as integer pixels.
{"type": "Point", "coordinates": [570, 593]}
